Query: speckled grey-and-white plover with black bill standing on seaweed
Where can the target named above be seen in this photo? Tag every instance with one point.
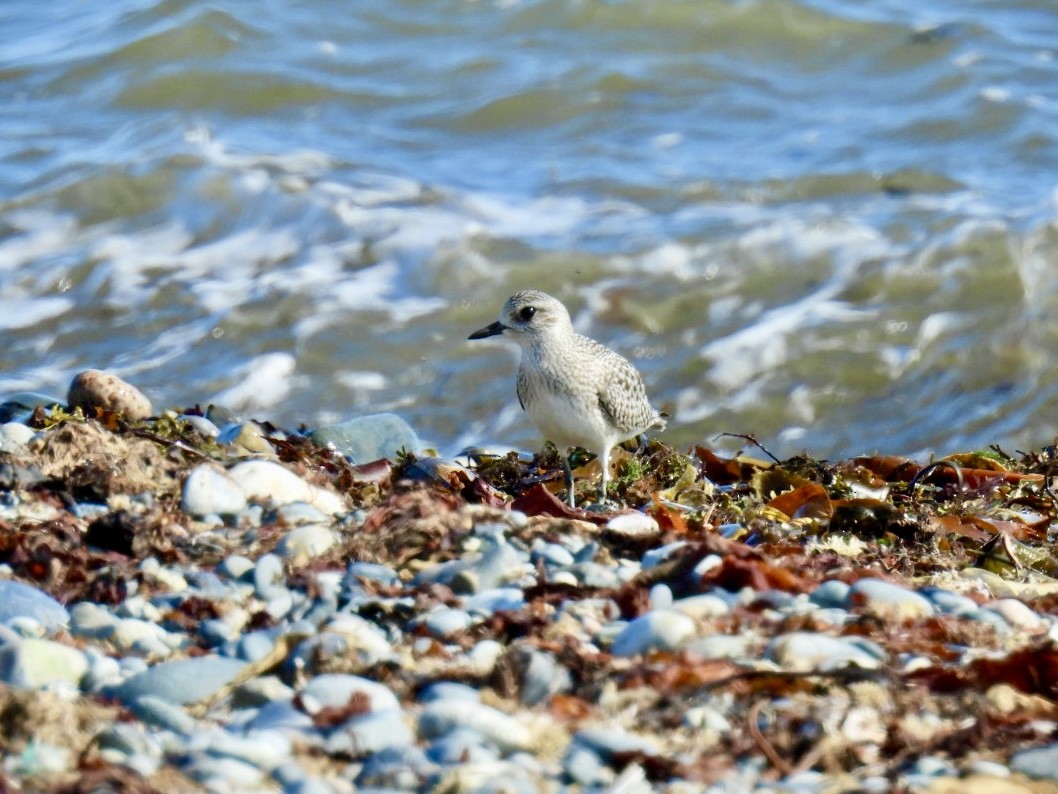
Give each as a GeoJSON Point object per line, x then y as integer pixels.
{"type": "Point", "coordinates": [576, 391]}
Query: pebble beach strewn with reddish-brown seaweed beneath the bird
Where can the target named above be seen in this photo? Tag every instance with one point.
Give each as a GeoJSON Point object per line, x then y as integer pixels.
{"type": "Point", "coordinates": [191, 601]}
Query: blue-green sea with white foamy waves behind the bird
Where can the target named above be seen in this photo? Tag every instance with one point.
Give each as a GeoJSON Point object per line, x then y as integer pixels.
{"type": "Point", "coordinates": [828, 224]}
